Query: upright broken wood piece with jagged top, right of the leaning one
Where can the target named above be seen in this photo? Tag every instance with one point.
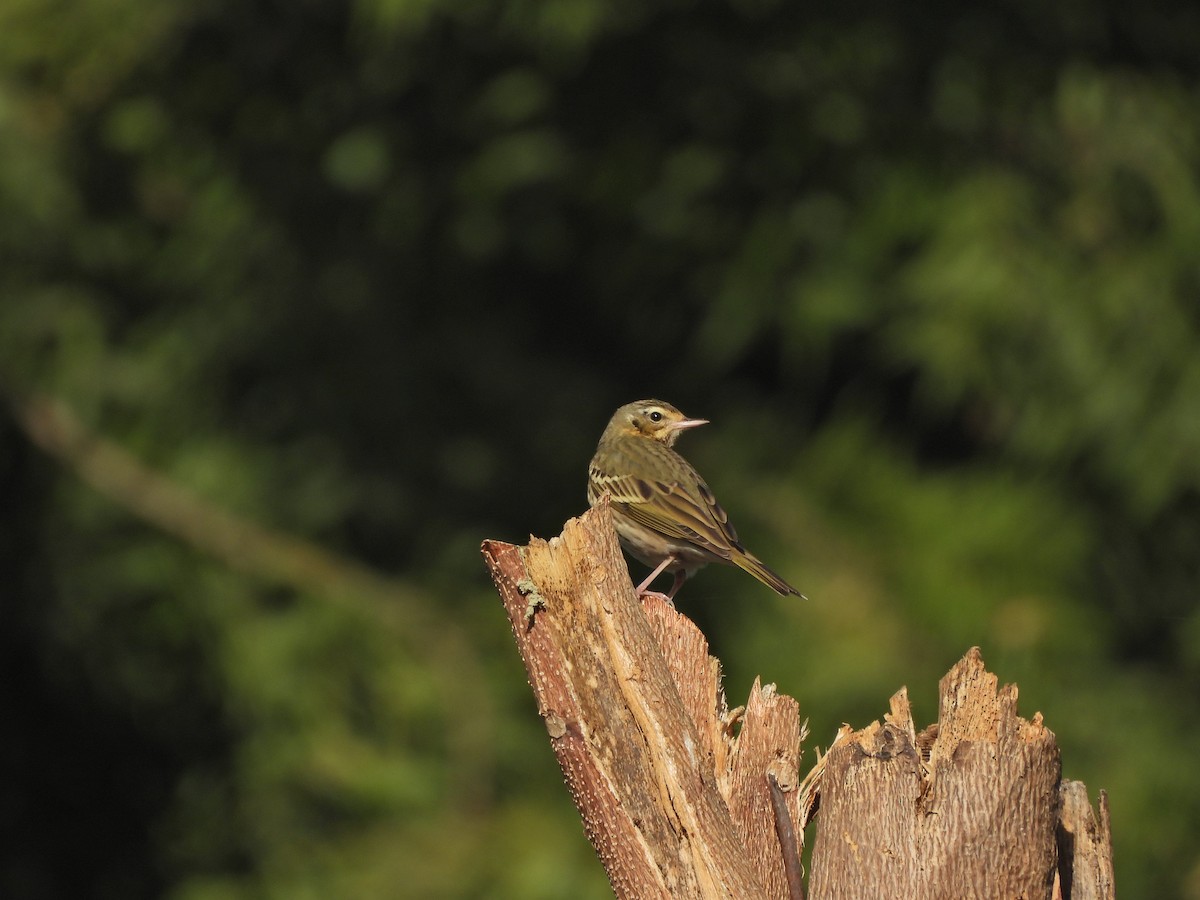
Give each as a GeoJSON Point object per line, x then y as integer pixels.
{"type": "Point", "coordinates": [974, 819]}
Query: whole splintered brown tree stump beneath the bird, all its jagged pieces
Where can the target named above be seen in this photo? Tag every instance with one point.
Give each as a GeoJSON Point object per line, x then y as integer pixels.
{"type": "Point", "coordinates": [683, 797]}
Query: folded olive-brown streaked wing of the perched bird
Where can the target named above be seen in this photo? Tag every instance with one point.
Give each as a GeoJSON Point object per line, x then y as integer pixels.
{"type": "Point", "coordinates": [674, 509]}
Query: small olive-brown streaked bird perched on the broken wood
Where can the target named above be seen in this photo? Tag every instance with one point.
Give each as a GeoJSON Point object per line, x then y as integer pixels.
{"type": "Point", "coordinates": [664, 513]}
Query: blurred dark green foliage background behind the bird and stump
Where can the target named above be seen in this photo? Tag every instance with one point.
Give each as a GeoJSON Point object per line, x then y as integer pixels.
{"type": "Point", "coordinates": [376, 274]}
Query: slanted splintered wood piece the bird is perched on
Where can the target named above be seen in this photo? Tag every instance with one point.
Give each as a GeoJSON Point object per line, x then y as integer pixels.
{"type": "Point", "coordinates": [676, 805]}
